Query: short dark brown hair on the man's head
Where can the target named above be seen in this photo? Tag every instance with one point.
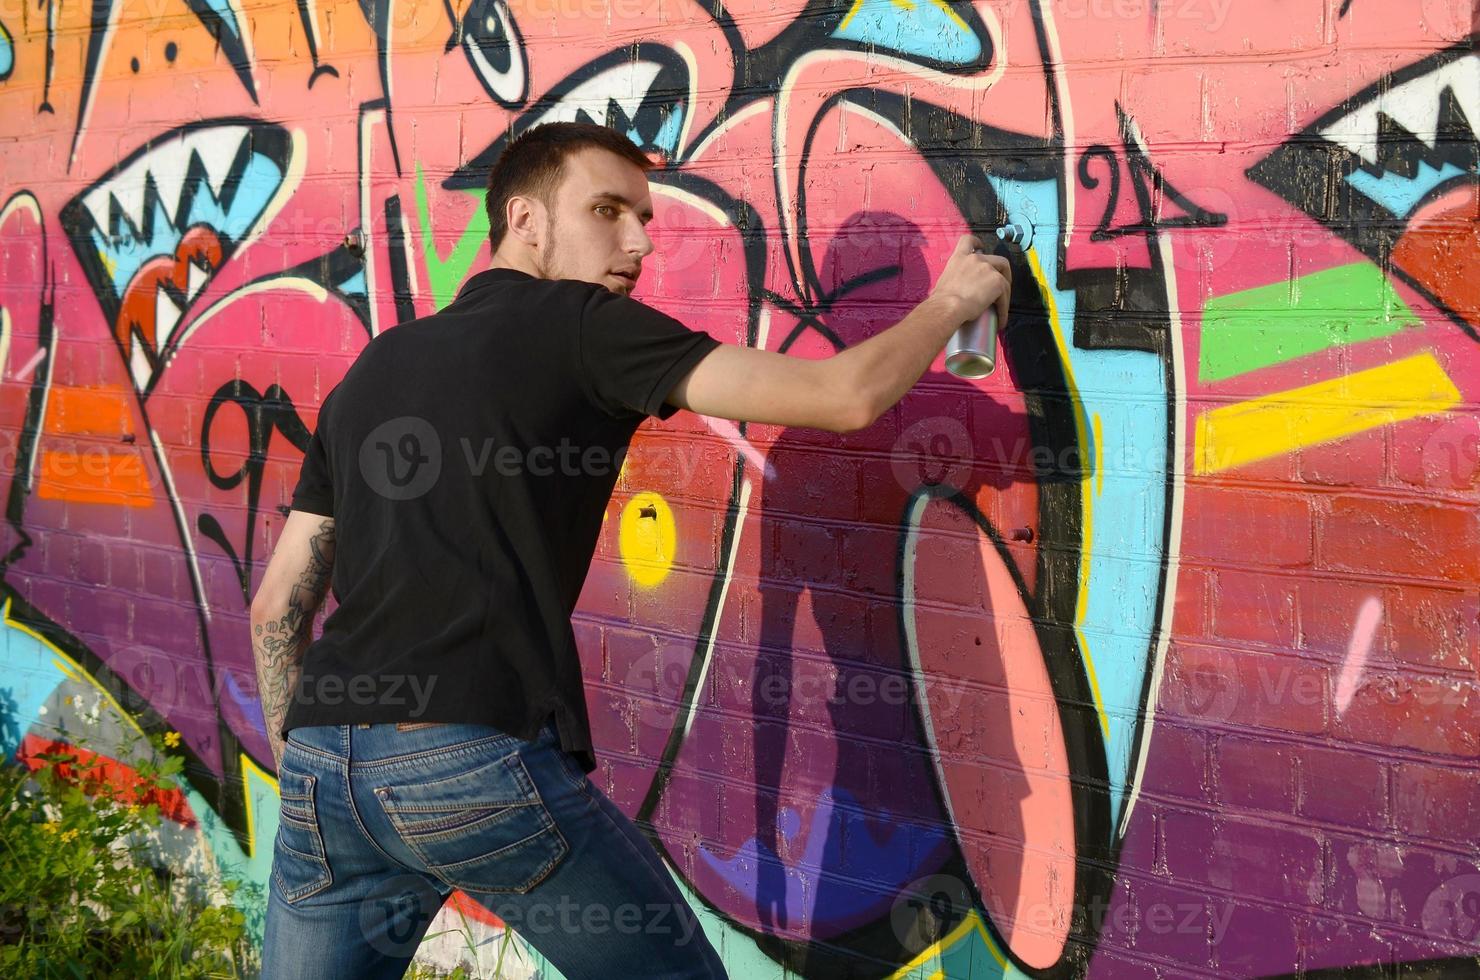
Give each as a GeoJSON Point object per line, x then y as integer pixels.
{"type": "Point", "coordinates": [535, 162]}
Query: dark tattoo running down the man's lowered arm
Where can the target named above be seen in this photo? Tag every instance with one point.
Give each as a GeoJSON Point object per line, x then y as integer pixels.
{"type": "Point", "coordinates": [282, 634]}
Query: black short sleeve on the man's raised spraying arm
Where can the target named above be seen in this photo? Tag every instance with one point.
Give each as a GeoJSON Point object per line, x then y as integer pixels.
{"type": "Point", "coordinates": [633, 355]}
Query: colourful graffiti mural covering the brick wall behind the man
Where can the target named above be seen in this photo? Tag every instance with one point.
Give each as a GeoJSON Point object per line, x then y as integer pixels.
{"type": "Point", "coordinates": [1154, 652]}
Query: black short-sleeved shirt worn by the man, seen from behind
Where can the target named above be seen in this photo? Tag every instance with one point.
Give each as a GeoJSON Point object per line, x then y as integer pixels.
{"type": "Point", "coordinates": [468, 460]}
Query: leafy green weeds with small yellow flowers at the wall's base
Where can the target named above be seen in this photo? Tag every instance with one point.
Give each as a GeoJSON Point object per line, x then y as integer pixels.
{"type": "Point", "coordinates": [82, 898]}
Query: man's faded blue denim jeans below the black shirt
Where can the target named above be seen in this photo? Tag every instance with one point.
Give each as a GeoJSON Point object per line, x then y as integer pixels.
{"type": "Point", "coordinates": [380, 824]}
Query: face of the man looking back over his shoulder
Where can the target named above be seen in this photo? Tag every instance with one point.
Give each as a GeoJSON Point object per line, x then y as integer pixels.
{"type": "Point", "coordinates": [596, 223]}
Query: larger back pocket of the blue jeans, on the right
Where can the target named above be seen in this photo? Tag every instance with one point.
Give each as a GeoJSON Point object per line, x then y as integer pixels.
{"type": "Point", "coordinates": [482, 830]}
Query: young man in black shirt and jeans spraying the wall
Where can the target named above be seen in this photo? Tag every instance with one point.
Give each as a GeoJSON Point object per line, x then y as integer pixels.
{"type": "Point", "coordinates": [436, 735]}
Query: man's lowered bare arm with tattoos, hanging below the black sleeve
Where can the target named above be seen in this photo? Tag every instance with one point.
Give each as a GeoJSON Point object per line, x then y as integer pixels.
{"type": "Point", "coordinates": [283, 614]}
